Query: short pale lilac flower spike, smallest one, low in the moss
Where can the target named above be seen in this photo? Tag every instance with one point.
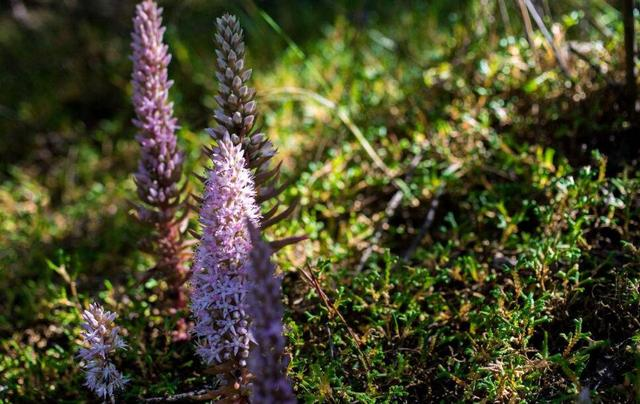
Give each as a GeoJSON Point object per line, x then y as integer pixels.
{"type": "Point", "coordinates": [101, 338]}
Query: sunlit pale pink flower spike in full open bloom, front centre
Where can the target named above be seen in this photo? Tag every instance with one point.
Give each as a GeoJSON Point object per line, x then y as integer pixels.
{"type": "Point", "coordinates": [221, 262]}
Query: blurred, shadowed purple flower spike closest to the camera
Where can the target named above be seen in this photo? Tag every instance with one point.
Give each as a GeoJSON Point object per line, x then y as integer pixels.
{"type": "Point", "coordinates": [266, 364]}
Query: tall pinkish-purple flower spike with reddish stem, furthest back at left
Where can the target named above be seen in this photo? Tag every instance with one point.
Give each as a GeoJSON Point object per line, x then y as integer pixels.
{"type": "Point", "coordinates": [160, 165]}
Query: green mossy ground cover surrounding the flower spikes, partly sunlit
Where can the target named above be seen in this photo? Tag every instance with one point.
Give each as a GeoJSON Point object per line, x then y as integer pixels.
{"type": "Point", "coordinates": [495, 198]}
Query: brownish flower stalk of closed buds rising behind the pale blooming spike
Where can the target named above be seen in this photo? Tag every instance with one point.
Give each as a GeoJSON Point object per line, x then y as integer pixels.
{"type": "Point", "coordinates": [236, 116]}
